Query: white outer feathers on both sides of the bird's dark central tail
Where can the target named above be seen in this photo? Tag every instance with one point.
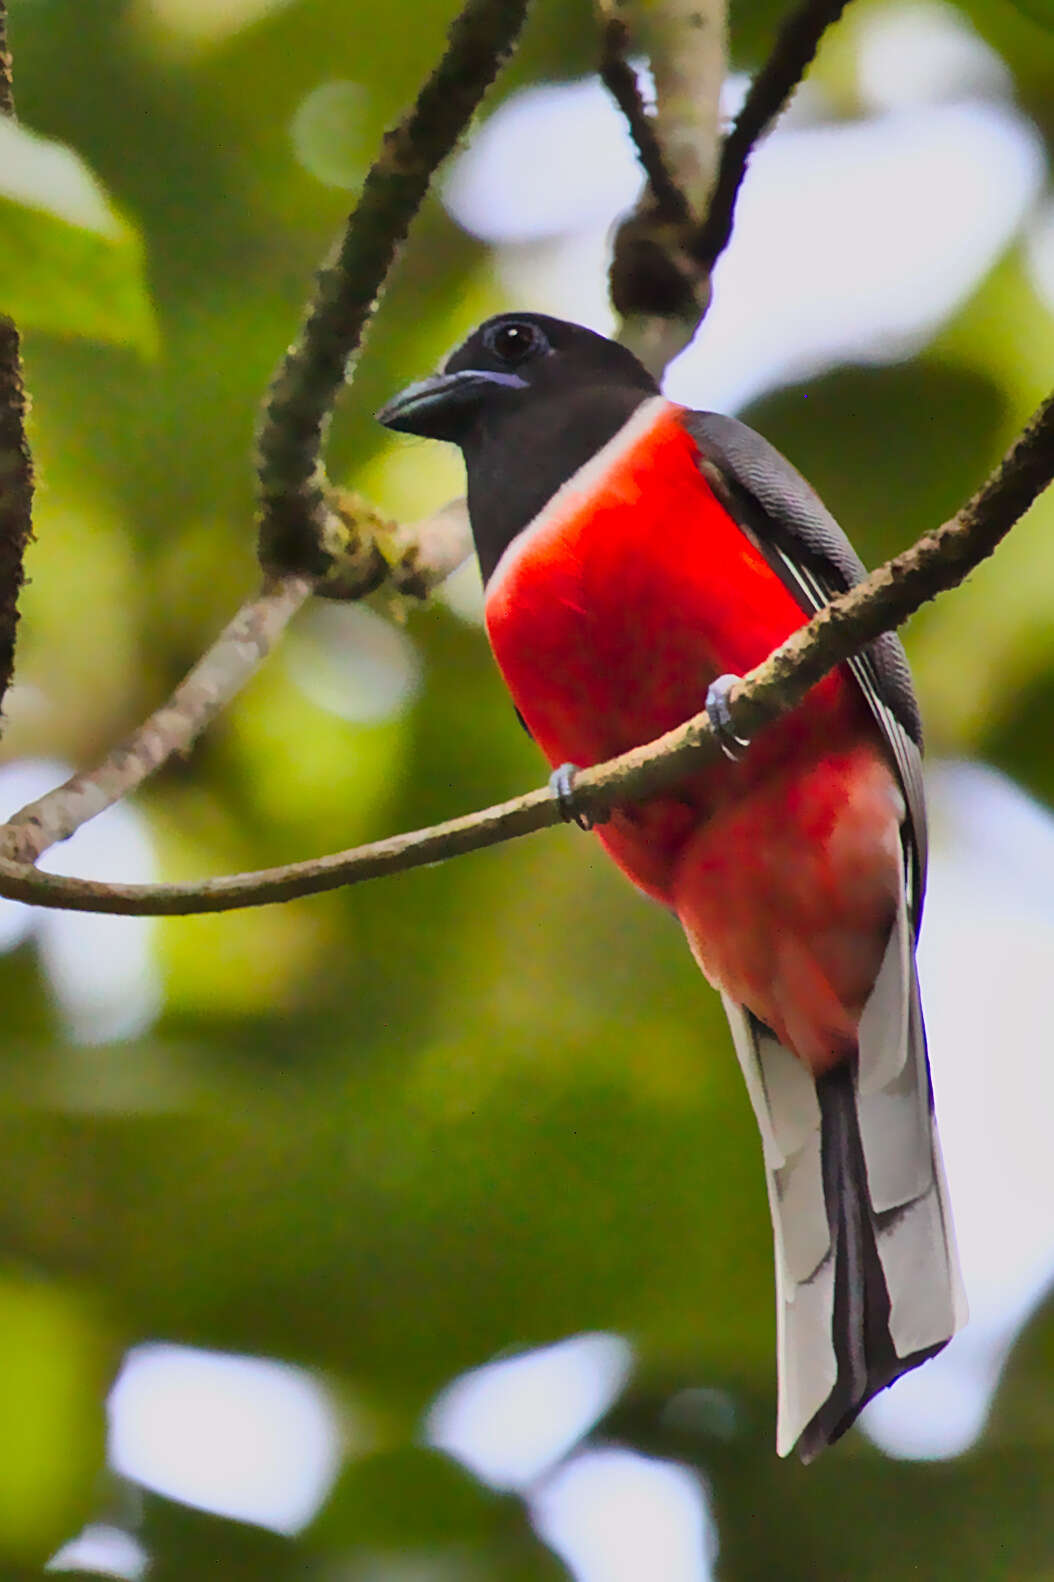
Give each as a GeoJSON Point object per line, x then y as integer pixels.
{"type": "Point", "coordinates": [906, 1186]}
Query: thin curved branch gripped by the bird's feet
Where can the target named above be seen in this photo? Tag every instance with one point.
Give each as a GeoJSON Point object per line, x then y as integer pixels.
{"type": "Point", "coordinates": [884, 600]}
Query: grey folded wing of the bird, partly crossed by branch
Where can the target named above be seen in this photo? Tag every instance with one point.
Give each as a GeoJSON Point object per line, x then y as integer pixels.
{"type": "Point", "coordinates": [816, 561]}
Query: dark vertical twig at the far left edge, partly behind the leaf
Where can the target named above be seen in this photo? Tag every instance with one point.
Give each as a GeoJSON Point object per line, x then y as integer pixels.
{"type": "Point", "coordinates": [17, 464]}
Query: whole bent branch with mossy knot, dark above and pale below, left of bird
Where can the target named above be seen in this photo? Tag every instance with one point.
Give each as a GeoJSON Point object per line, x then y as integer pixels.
{"type": "Point", "coordinates": [339, 547]}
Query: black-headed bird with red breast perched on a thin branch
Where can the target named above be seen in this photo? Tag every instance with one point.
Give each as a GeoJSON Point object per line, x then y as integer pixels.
{"type": "Point", "coordinates": [637, 559]}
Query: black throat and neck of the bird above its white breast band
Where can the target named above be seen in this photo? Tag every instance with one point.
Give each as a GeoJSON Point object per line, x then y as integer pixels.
{"type": "Point", "coordinates": [518, 458]}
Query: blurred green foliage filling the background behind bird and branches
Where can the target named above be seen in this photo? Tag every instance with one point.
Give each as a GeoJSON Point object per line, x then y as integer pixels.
{"type": "Point", "coordinates": [393, 1134]}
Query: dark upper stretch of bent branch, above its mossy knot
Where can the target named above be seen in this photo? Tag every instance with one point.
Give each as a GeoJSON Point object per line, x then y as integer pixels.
{"type": "Point", "coordinates": [298, 529]}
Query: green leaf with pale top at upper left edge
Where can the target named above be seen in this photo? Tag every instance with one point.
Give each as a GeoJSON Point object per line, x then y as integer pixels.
{"type": "Point", "coordinates": [69, 262]}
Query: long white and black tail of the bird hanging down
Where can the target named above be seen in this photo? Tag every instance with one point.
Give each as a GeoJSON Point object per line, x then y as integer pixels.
{"type": "Point", "coordinates": [866, 1271]}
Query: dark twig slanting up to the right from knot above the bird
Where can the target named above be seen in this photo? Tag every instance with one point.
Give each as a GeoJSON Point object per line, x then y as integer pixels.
{"type": "Point", "coordinates": [795, 48]}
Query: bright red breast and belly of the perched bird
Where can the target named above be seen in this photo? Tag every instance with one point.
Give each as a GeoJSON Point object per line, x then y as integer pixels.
{"type": "Point", "coordinates": [610, 619]}
